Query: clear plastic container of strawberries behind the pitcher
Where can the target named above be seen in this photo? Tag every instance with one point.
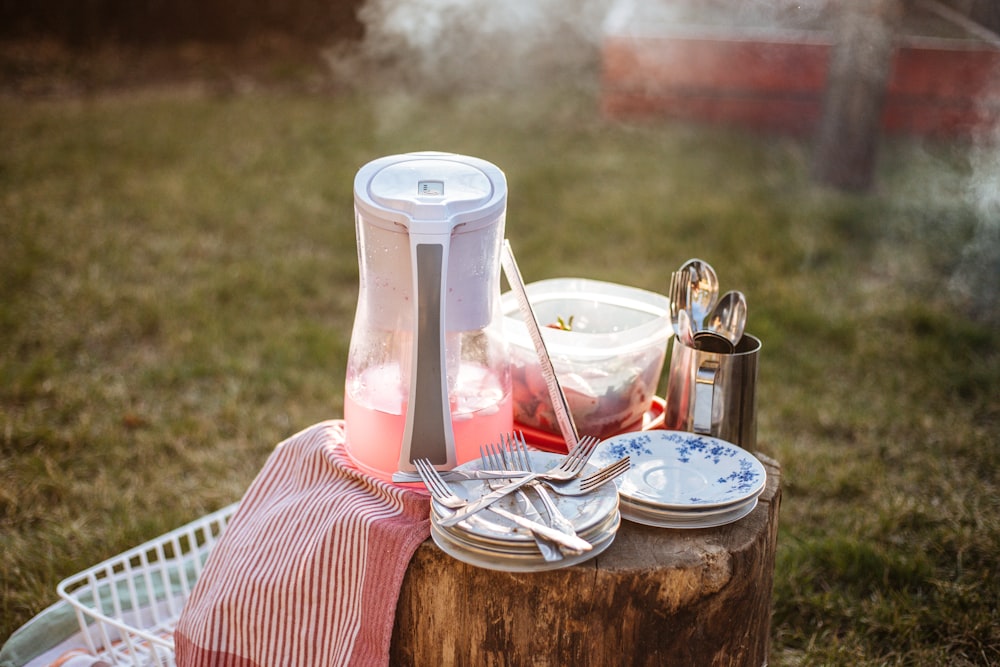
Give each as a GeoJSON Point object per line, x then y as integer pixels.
{"type": "Point", "coordinates": [608, 362]}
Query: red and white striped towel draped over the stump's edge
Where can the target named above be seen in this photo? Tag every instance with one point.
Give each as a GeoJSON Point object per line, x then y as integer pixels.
{"type": "Point", "coordinates": [309, 568]}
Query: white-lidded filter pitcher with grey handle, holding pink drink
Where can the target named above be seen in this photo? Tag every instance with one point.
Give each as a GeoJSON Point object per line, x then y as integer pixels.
{"type": "Point", "coordinates": [427, 373]}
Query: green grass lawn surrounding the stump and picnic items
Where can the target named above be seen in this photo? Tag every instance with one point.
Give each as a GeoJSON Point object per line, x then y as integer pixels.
{"type": "Point", "coordinates": [178, 280]}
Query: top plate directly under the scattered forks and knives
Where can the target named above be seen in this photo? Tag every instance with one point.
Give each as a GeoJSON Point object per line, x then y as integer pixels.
{"type": "Point", "coordinates": [584, 512]}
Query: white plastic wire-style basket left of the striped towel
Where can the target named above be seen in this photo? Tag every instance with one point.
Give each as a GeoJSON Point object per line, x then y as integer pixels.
{"type": "Point", "coordinates": [128, 605]}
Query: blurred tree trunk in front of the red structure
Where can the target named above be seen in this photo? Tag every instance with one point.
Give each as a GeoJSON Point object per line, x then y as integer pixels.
{"type": "Point", "coordinates": [860, 63]}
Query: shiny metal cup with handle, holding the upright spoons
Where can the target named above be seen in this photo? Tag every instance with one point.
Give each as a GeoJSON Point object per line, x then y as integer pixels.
{"type": "Point", "coordinates": [714, 393]}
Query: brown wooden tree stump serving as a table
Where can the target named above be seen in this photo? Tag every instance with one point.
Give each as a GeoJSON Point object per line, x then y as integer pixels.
{"type": "Point", "coordinates": [655, 597]}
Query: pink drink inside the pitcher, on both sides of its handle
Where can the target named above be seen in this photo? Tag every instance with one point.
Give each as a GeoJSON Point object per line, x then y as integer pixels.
{"type": "Point", "coordinates": [375, 415]}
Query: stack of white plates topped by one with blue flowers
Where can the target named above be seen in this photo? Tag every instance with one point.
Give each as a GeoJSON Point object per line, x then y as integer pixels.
{"type": "Point", "coordinates": [683, 480]}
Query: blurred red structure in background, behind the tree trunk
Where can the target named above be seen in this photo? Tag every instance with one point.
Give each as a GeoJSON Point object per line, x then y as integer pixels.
{"type": "Point", "coordinates": [775, 79]}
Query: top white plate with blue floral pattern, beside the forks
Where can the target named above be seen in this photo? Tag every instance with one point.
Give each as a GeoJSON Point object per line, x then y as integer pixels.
{"type": "Point", "coordinates": [679, 471]}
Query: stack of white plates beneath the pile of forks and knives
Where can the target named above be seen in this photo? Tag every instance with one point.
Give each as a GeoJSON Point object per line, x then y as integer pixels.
{"type": "Point", "coordinates": [491, 541]}
